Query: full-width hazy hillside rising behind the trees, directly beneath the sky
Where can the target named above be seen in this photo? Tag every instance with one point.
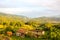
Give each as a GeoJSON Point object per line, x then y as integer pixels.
{"type": "Point", "coordinates": [54, 19]}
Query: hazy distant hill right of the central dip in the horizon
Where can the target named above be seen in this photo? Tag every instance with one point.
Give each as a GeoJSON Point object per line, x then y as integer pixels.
{"type": "Point", "coordinates": [48, 19]}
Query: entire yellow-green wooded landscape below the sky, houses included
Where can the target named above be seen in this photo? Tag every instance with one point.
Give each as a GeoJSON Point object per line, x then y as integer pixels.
{"type": "Point", "coordinates": [15, 27]}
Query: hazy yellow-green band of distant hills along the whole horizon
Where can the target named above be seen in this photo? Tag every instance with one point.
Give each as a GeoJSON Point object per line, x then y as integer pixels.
{"type": "Point", "coordinates": [44, 19]}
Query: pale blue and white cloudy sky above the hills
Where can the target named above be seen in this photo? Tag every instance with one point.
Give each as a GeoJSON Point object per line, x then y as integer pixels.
{"type": "Point", "coordinates": [31, 8]}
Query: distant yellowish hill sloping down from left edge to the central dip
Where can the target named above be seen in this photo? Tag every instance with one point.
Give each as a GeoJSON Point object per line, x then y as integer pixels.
{"type": "Point", "coordinates": [14, 17]}
